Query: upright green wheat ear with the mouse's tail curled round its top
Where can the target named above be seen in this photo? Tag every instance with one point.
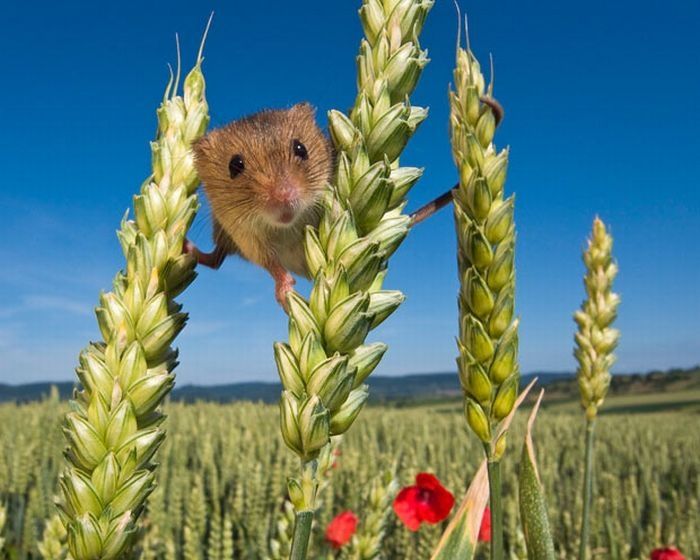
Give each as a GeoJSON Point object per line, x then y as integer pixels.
{"type": "Point", "coordinates": [488, 332]}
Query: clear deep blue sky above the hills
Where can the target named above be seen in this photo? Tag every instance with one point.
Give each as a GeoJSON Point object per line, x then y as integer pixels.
{"type": "Point", "coordinates": [602, 114]}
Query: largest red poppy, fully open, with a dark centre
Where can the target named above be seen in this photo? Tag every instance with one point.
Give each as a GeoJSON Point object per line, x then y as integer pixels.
{"type": "Point", "coordinates": [427, 501]}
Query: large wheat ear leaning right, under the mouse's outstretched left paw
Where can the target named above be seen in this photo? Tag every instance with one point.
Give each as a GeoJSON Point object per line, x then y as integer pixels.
{"type": "Point", "coordinates": [114, 427]}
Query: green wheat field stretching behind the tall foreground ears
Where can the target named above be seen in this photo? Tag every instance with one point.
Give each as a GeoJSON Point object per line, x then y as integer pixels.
{"type": "Point", "coordinates": [223, 467]}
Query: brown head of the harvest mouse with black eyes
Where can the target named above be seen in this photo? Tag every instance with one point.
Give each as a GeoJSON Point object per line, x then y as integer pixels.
{"type": "Point", "coordinates": [272, 165]}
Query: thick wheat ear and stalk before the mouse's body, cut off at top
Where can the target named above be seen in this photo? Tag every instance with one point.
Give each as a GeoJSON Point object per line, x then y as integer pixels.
{"type": "Point", "coordinates": [326, 361]}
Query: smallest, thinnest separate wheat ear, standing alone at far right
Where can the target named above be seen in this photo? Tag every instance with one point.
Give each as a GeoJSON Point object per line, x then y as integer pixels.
{"type": "Point", "coordinates": [595, 338]}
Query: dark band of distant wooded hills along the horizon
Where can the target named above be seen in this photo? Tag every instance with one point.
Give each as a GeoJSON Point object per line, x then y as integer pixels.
{"type": "Point", "coordinates": [400, 389]}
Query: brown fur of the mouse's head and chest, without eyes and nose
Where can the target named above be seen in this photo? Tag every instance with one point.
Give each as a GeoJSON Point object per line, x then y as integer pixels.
{"type": "Point", "coordinates": [240, 205]}
